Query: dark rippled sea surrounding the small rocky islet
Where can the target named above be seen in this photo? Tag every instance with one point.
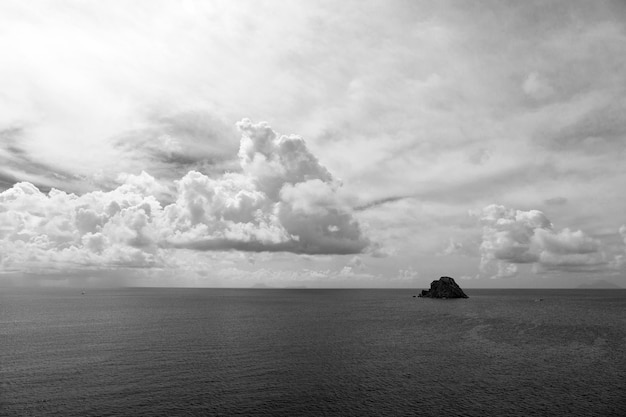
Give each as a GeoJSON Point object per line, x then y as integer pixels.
{"type": "Point", "coordinates": [165, 352]}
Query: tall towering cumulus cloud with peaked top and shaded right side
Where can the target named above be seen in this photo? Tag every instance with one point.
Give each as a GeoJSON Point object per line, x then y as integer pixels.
{"type": "Point", "coordinates": [284, 200]}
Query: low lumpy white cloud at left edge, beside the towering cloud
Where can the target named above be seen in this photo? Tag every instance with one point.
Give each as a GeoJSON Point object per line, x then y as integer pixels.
{"type": "Point", "coordinates": [40, 230]}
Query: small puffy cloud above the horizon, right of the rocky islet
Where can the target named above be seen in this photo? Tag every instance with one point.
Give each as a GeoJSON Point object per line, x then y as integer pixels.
{"type": "Point", "coordinates": [511, 237]}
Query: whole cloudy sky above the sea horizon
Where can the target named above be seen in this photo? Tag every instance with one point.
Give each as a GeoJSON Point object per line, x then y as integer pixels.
{"type": "Point", "coordinates": [318, 144]}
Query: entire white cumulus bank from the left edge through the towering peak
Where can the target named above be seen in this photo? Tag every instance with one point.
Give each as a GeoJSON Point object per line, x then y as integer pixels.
{"type": "Point", "coordinates": [282, 200]}
